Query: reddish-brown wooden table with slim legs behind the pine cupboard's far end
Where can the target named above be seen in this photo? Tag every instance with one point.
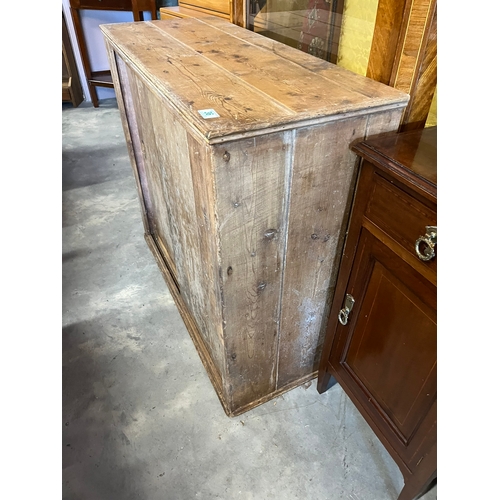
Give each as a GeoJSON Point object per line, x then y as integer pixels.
{"type": "Point", "coordinates": [137, 7]}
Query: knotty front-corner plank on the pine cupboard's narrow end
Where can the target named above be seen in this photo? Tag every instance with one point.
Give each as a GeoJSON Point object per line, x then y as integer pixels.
{"type": "Point", "coordinates": [251, 210]}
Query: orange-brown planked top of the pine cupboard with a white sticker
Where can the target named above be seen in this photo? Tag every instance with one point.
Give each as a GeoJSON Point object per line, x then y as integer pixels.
{"type": "Point", "coordinates": [255, 85]}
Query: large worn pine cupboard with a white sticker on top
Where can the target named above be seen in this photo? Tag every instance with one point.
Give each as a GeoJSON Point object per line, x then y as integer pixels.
{"type": "Point", "coordinates": [240, 149]}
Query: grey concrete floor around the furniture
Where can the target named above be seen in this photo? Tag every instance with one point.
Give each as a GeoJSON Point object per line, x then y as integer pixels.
{"type": "Point", "coordinates": [140, 417]}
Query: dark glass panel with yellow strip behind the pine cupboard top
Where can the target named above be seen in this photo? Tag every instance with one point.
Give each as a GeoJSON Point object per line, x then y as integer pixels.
{"type": "Point", "coordinates": [339, 31]}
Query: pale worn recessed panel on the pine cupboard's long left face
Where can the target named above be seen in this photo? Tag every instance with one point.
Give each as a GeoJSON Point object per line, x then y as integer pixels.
{"type": "Point", "coordinates": [165, 147]}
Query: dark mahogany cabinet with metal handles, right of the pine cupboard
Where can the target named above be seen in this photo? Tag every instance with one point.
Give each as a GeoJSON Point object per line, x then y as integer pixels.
{"type": "Point", "coordinates": [381, 336]}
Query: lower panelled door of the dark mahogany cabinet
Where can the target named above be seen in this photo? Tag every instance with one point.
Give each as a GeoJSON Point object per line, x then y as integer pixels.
{"type": "Point", "coordinates": [387, 351]}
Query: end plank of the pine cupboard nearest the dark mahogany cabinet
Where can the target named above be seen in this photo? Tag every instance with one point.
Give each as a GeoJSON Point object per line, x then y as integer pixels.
{"type": "Point", "coordinates": [322, 188]}
